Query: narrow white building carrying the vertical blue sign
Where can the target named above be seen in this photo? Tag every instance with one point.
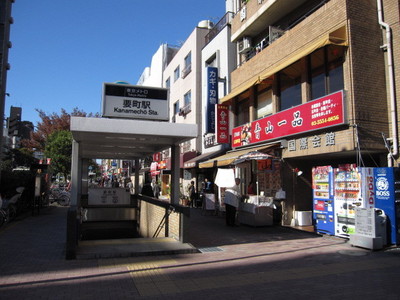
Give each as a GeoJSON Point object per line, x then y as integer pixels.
{"type": "Point", "coordinates": [218, 60]}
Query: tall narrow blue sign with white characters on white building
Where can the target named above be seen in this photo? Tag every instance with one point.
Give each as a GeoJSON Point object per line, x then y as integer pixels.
{"type": "Point", "coordinates": [212, 98]}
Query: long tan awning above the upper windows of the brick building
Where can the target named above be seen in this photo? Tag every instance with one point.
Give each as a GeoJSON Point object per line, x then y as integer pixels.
{"type": "Point", "coordinates": [336, 37]}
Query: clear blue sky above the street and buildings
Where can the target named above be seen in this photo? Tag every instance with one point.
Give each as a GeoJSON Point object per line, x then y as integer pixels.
{"type": "Point", "coordinates": [63, 50]}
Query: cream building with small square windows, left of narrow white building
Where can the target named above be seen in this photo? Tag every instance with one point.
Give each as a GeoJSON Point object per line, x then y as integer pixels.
{"type": "Point", "coordinates": [183, 77]}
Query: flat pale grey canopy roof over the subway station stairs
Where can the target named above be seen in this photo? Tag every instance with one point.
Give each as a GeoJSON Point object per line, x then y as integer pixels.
{"type": "Point", "coordinates": [127, 139]}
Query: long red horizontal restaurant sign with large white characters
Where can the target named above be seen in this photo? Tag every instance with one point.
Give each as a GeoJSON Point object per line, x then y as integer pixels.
{"type": "Point", "coordinates": [320, 113]}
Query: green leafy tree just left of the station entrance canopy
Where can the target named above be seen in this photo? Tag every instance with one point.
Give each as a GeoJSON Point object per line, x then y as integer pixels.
{"type": "Point", "coordinates": [58, 148]}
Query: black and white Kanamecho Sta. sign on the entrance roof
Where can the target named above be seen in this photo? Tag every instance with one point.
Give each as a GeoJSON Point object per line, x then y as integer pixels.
{"type": "Point", "coordinates": [135, 102]}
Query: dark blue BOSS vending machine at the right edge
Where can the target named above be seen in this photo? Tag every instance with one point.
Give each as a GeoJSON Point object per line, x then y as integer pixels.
{"type": "Point", "coordinates": [387, 198]}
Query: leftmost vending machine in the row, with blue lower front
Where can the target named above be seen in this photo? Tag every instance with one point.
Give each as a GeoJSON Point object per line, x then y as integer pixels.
{"type": "Point", "coordinates": [323, 194]}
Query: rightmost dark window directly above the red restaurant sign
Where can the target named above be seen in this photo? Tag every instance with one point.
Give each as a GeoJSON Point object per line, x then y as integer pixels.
{"type": "Point", "coordinates": [326, 71]}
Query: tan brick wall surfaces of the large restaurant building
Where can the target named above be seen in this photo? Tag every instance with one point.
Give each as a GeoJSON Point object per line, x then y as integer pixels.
{"type": "Point", "coordinates": [364, 67]}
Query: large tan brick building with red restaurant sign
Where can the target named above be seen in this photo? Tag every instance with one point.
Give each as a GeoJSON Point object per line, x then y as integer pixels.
{"type": "Point", "coordinates": [314, 85]}
